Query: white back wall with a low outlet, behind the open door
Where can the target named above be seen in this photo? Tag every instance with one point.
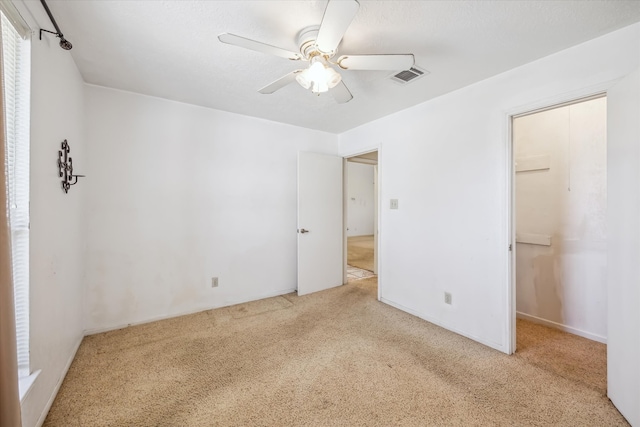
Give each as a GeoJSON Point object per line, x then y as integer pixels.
{"type": "Point", "coordinates": [179, 194]}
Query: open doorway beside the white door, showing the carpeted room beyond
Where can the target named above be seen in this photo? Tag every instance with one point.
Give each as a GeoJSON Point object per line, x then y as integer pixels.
{"type": "Point", "coordinates": [361, 216]}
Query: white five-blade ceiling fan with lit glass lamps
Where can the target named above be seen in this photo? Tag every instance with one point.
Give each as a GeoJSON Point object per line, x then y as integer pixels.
{"type": "Point", "coordinates": [319, 45]}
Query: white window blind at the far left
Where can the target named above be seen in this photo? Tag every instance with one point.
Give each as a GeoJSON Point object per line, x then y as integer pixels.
{"type": "Point", "coordinates": [16, 89]}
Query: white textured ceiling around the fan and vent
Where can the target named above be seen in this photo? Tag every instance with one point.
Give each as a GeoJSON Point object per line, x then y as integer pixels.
{"type": "Point", "coordinates": [170, 49]}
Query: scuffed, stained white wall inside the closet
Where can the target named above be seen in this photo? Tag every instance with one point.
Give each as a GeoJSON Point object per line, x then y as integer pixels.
{"type": "Point", "coordinates": [564, 283]}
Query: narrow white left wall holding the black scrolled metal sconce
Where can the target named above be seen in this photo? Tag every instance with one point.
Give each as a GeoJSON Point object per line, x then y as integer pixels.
{"type": "Point", "coordinates": [57, 223]}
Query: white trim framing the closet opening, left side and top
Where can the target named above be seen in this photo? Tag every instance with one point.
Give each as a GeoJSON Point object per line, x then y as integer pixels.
{"type": "Point", "coordinates": [585, 94]}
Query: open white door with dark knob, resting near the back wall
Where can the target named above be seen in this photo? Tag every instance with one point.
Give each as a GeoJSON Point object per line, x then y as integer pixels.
{"type": "Point", "coordinates": [320, 222]}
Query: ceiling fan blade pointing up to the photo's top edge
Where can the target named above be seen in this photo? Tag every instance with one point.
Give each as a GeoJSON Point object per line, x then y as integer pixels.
{"type": "Point", "coordinates": [337, 18]}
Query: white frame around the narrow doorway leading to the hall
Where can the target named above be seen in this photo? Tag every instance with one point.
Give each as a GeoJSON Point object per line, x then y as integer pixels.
{"type": "Point", "coordinates": [377, 213]}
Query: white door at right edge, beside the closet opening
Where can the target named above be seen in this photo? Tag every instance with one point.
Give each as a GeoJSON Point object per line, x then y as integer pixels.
{"type": "Point", "coordinates": [623, 210]}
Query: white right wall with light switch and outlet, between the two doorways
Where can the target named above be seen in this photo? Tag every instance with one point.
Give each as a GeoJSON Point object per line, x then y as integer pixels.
{"type": "Point", "coordinates": [446, 161]}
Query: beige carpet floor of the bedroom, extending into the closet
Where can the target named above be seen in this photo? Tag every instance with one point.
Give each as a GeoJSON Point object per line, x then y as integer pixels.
{"type": "Point", "coordinates": [334, 358]}
